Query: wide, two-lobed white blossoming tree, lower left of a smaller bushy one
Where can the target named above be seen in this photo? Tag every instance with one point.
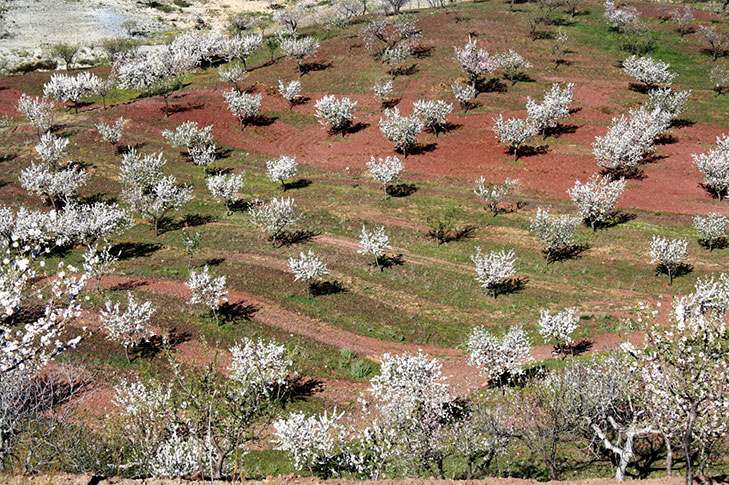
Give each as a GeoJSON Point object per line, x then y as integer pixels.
{"type": "Point", "coordinates": [495, 356]}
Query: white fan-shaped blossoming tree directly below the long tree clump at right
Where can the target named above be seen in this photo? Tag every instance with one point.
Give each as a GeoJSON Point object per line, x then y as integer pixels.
{"type": "Point", "coordinates": [596, 198]}
